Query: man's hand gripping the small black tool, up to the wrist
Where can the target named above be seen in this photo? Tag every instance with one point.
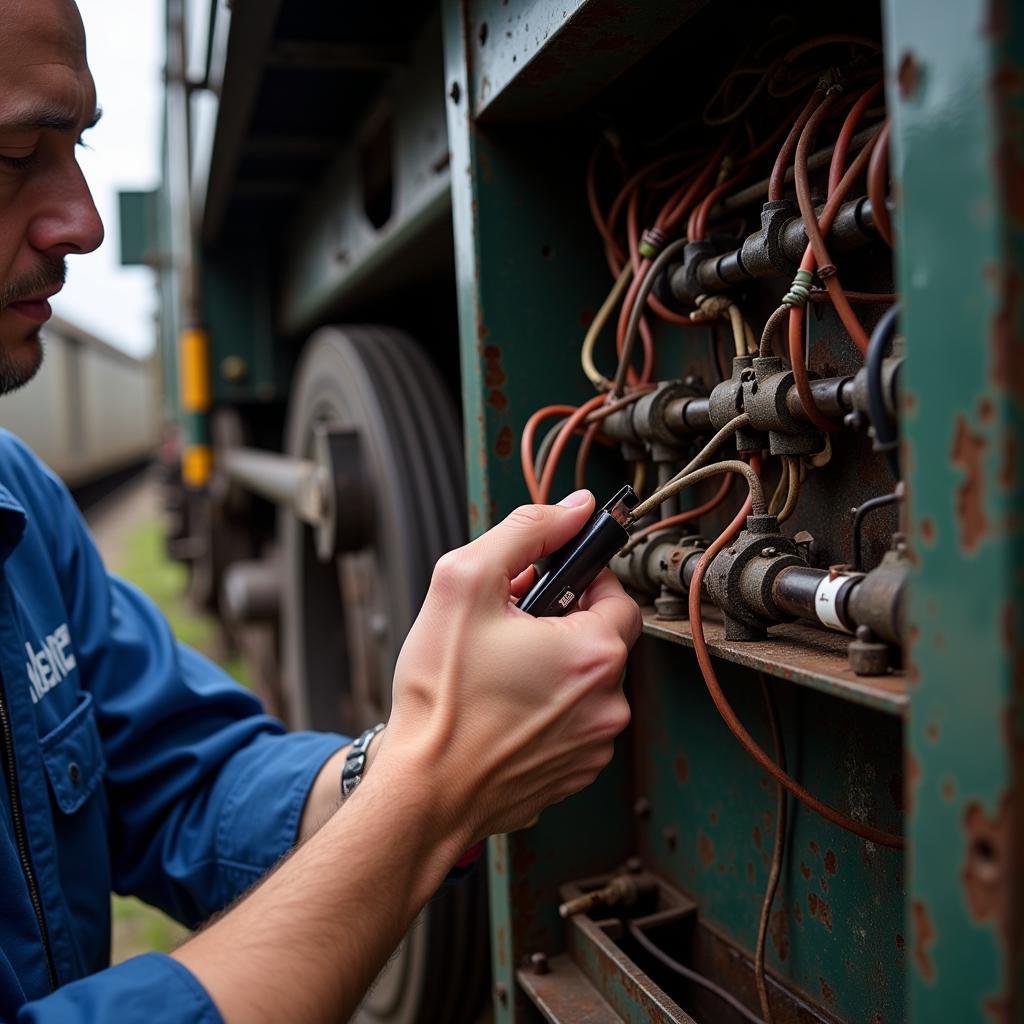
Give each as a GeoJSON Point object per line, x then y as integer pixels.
{"type": "Point", "coordinates": [515, 713]}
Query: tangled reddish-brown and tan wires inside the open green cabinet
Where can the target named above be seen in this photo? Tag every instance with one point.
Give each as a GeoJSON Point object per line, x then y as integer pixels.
{"type": "Point", "coordinates": [688, 190]}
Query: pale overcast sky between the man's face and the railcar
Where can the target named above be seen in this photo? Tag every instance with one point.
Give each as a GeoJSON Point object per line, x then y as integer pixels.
{"type": "Point", "coordinates": [125, 45]}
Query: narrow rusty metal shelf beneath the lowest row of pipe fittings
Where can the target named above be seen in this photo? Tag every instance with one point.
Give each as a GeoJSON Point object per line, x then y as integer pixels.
{"type": "Point", "coordinates": [802, 655]}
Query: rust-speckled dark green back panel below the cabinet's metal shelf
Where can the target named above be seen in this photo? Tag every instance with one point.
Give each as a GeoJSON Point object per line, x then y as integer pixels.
{"type": "Point", "coordinates": [705, 822]}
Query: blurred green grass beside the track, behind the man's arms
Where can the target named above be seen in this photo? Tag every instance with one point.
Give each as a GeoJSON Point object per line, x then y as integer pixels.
{"type": "Point", "coordinates": [137, 927]}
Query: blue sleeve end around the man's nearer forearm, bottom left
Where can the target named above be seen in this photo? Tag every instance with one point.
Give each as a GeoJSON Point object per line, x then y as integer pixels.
{"type": "Point", "coordinates": [149, 990]}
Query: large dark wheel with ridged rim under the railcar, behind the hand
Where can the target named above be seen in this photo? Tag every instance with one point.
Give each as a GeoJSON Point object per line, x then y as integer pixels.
{"type": "Point", "coordinates": [344, 623]}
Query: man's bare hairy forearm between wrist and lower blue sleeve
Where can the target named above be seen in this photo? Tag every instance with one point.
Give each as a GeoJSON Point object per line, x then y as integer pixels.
{"type": "Point", "coordinates": [310, 941]}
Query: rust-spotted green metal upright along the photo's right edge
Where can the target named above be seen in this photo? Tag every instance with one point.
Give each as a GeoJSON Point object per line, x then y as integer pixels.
{"type": "Point", "coordinates": [957, 90]}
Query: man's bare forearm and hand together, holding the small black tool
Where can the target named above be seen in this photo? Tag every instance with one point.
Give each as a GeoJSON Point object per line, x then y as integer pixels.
{"type": "Point", "coordinates": [496, 715]}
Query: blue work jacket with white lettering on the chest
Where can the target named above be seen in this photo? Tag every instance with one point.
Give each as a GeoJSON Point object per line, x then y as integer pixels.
{"type": "Point", "coordinates": [140, 767]}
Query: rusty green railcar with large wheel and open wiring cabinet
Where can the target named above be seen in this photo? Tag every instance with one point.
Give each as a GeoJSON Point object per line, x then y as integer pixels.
{"type": "Point", "coordinates": [477, 176]}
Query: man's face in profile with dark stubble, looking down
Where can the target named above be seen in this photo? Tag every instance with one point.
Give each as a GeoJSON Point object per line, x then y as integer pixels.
{"type": "Point", "coordinates": [48, 100]}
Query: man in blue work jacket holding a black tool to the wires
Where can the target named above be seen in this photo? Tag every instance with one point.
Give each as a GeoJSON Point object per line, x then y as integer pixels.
{"type": "Point", "coordinates": [130, 762]}
